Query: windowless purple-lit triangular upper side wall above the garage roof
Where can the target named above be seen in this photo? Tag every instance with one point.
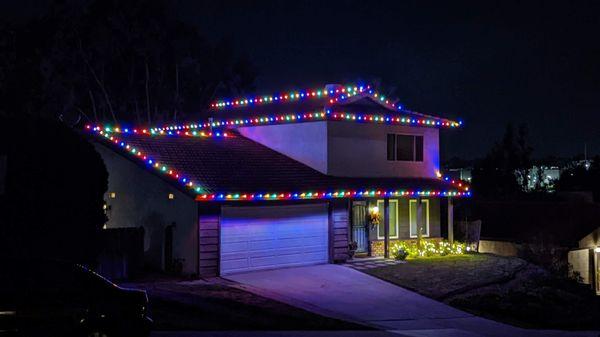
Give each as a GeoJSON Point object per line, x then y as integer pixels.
{"type": "Point", "coordinates": [304, 142]}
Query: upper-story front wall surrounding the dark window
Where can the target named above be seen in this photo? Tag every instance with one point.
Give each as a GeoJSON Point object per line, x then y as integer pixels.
{"type": "Point", "coordinates": [360, 150]}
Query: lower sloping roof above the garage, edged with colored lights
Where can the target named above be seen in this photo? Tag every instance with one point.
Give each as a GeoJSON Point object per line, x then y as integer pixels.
{"type": "Point", "coordinates": [228, 166]}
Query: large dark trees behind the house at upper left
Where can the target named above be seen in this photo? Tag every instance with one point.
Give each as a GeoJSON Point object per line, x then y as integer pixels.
{"type": "Point", "coordinates": [116, 61]}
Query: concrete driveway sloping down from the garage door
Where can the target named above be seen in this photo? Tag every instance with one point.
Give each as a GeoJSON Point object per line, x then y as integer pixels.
{"type": "Point", "coordinates": [345, 293]}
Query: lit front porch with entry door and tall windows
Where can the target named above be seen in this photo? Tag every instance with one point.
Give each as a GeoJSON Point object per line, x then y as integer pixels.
{"type": "Point", "coordinates": [377, 224]}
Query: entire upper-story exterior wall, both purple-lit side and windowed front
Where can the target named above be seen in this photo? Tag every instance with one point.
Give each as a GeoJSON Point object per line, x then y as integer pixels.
{"type": "Point", "coordinates": [347, 149]}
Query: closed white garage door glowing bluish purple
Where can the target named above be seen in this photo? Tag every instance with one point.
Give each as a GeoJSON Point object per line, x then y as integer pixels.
{"type": "Point", "coordinates": [254, 238]}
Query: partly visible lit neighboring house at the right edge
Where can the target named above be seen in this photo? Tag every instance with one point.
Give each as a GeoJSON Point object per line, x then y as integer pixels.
{"type": "Point", "coordinates": [585, 261]}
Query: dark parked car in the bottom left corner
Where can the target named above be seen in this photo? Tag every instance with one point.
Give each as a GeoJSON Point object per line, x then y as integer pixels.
{"type": "Point", "coordinates": [53, 298]}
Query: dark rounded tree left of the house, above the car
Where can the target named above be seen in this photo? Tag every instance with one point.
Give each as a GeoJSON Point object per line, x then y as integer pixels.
{"type": "Point", "coordinates": [55, 183]}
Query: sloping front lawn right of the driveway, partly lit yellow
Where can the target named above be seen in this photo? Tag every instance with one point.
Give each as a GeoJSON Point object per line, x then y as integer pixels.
{"type": "Point", "coordinates": [505, 289]}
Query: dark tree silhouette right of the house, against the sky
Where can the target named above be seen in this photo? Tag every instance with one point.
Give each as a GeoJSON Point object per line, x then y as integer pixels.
{"type": "Point", "coordinates": [504, 170]}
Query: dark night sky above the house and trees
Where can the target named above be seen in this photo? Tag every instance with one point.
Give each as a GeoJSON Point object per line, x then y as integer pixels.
{"type": "Point", "coordinates": [486, 63]}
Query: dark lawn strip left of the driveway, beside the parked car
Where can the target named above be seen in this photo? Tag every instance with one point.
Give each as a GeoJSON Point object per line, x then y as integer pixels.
{"type": "Point", "coordinates": [208, 306]}
